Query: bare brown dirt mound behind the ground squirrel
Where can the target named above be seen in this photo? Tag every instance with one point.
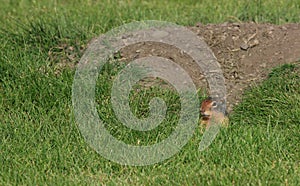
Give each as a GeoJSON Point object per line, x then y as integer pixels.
{"type": "Point", "coordinates": [246, 52]}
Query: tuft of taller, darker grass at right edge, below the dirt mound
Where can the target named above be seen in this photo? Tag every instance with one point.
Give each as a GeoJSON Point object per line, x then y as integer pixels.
{"type": "Point", "coordinates": [277, 98]}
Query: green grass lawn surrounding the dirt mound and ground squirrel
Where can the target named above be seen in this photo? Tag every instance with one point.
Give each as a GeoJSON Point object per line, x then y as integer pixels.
{"type": "Point", "coordinates": [40, 141]}
